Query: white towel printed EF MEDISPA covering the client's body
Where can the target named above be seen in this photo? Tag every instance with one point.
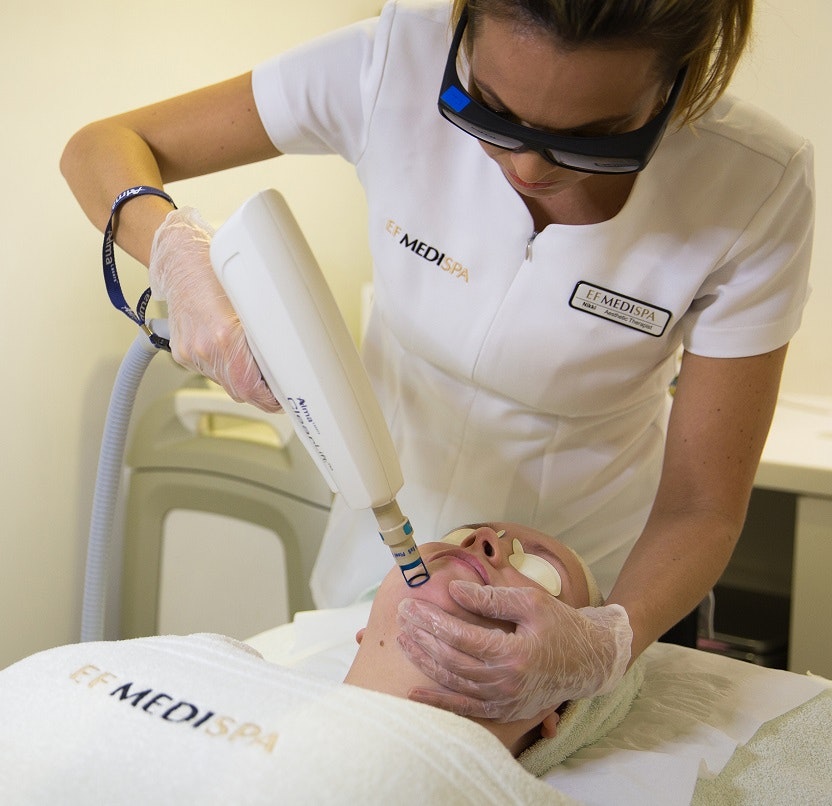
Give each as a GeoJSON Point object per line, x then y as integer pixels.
{"type": "Point", "coordinates": [204, 719]}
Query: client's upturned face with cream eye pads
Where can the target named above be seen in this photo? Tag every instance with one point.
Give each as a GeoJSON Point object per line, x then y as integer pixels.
{"type": "Point", "coordinates": [497, 554]}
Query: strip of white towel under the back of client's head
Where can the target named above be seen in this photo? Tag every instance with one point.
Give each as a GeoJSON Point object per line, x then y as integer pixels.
{"type": "Point", "coordinates": [583, 722]}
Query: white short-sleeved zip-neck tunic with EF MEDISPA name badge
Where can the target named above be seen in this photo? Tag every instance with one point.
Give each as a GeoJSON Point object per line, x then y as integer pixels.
{"type": "Point", "coordinates": [524, 376]}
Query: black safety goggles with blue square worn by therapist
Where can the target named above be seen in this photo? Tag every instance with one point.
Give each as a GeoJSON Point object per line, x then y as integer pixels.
{"type": "Point", "coordinates": [627, 152]}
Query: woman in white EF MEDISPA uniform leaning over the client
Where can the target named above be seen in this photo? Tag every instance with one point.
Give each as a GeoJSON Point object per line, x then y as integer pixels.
{"type": "Point", "coordinates": [587, 205]}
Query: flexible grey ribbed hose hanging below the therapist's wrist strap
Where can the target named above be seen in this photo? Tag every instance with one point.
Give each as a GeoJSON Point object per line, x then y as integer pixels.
{"type": "Point", "coordinates": [110, 461]}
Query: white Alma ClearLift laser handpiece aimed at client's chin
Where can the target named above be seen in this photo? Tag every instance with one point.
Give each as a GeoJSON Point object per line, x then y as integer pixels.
{"type": "Point", "coordinates": [309, 361]}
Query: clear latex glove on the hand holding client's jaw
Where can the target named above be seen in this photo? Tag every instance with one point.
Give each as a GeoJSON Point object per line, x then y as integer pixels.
{"type": "Point", "coordinates": [556, 653]}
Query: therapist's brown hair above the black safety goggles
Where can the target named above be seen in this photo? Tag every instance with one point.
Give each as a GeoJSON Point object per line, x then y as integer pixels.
{"type": "Point", "coordinates": [707, 35]}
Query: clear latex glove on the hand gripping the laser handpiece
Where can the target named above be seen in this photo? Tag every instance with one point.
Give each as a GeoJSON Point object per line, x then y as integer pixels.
{"type": "Point", "coordinates": [205, 333]}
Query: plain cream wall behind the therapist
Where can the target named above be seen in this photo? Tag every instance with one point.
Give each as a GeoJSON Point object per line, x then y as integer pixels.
{"type": "Point", "coordinates": [88, 59]}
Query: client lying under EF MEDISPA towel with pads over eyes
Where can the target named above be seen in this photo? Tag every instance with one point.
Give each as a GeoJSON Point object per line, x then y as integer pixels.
{"type": "Point", "coordinates": [167, 718]}
